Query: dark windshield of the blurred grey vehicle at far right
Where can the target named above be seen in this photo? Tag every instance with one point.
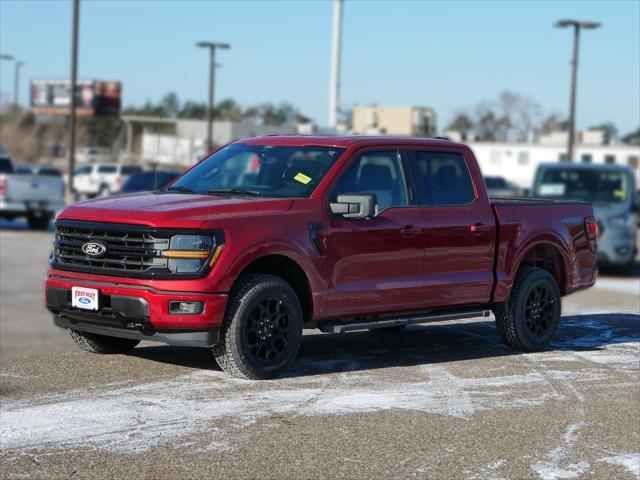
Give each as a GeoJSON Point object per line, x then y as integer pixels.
{"type": "Point", "coordinates": [590, 185]}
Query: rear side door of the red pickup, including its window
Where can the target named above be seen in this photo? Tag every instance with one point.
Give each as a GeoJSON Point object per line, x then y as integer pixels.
{"type": "Point", "coordinates": [459, 227]}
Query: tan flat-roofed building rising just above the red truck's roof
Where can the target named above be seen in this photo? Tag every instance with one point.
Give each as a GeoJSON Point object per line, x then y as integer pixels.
{"type": "Point", "coordinates": [410, 121]}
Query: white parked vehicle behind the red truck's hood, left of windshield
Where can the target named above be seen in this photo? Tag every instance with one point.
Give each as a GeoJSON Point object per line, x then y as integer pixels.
{"type": "Point", "coordinates": [102, 179]}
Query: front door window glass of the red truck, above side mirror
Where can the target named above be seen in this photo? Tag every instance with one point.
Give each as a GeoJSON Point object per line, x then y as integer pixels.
{"type": "Point", "coordinates": [377, 173]}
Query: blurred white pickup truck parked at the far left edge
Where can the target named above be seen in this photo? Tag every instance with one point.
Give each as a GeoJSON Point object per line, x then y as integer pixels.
{"type": "Point", "coordinates": [35, 196]}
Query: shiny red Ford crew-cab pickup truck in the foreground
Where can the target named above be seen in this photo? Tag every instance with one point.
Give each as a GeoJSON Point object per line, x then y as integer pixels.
{"type": "Point", "coordinates": [271, 235]}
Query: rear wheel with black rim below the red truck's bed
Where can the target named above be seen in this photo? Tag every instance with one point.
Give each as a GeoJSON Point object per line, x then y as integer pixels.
{"type": "Point", "coordinates": [531, 315]}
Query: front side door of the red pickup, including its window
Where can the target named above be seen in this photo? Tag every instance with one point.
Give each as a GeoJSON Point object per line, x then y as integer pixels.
{"type": "Point", "coordinates": [376, 264]}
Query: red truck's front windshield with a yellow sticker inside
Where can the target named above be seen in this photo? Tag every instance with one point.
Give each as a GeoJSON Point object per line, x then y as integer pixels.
{"type": "Point", "coordinates": [271, 171]}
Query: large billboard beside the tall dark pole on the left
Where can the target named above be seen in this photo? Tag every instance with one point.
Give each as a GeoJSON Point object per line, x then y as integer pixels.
{"type": "Point", "coordinates": [93, 97]}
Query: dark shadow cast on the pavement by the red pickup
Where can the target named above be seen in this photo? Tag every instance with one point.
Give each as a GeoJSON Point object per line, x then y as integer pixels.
{"type": "Point", "coordinates": [322, 354]}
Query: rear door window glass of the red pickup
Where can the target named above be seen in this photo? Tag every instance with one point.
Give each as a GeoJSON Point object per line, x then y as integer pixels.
{"type": "Point", "coordinates": [445, 178]}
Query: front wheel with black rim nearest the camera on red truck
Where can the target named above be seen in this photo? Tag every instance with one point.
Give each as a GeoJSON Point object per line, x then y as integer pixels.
{"type": "Point", "coordinates": [262, 330]}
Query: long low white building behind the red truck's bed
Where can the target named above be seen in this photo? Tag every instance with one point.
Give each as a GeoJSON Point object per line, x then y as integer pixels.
{"type": "Point", "coordinates": [517, 162]}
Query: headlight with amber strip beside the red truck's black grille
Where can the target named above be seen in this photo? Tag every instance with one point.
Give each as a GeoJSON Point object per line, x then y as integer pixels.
{"type": "Point", "coordinates": [189, 253]}
